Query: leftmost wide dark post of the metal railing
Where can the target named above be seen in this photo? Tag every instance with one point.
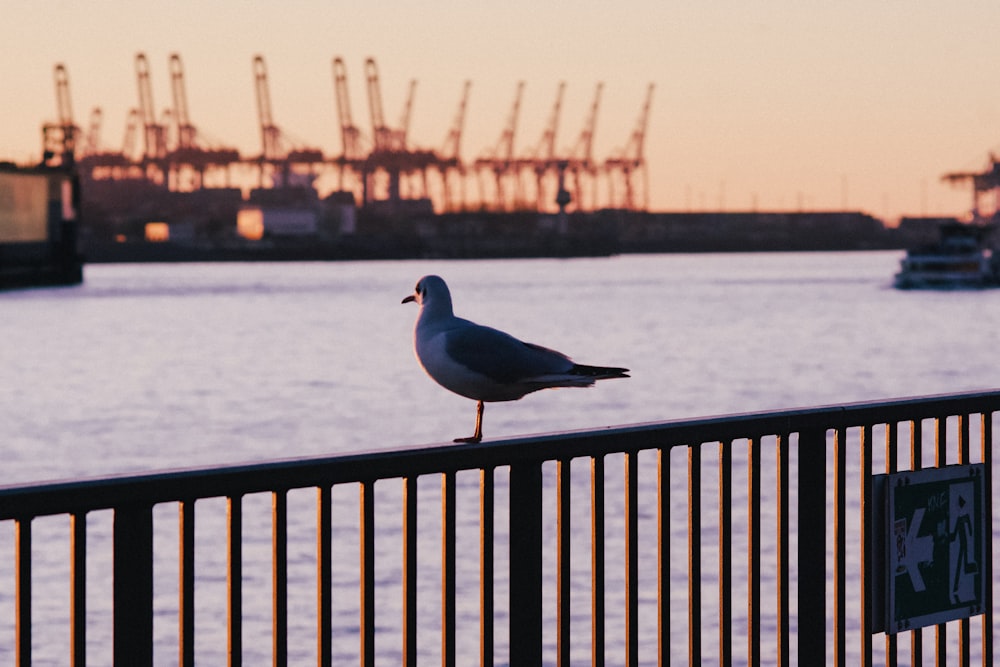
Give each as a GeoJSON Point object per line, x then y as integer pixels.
{"type": "Point", "coordinates": [133, 585]}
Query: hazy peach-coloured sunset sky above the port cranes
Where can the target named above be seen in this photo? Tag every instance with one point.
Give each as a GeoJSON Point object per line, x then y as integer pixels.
{"type": "Point", "coordinates": [766, 104]}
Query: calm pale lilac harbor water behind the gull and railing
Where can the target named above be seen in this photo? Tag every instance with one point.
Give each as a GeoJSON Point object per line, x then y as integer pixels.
{"type": "Point", "coordinates": [151, 367]}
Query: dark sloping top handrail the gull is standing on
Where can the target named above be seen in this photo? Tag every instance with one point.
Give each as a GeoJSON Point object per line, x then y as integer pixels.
{"type": "Point", "coordinates": [63, 497]}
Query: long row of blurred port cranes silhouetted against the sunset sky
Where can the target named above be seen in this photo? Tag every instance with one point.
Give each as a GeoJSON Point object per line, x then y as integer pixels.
{"type": "Point", "coordinates": [381, 166]}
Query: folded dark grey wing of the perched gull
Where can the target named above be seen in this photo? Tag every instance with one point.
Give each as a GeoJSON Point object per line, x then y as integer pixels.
{"type": "Point", "coordinates": [501, 357]}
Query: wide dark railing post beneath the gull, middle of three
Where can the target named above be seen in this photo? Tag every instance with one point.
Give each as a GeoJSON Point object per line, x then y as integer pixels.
{"type": "Point", "coordinates": [526, 563]}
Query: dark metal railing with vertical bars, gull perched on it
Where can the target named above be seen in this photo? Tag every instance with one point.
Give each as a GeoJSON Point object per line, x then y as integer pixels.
{"type": "Point", "coordinates": [804, 550]}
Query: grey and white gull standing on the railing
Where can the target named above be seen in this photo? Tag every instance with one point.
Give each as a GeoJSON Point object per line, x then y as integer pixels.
{"type": "Point", "coordinates": [486, 364]}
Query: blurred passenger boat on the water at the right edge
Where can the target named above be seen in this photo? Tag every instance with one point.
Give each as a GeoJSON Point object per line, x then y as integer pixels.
{"type": "Point", "coordinates": [961, 259]}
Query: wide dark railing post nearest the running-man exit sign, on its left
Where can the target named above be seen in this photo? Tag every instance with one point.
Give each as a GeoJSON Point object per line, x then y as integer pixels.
{"type": "Point", "coordinates": [812, 548]}
